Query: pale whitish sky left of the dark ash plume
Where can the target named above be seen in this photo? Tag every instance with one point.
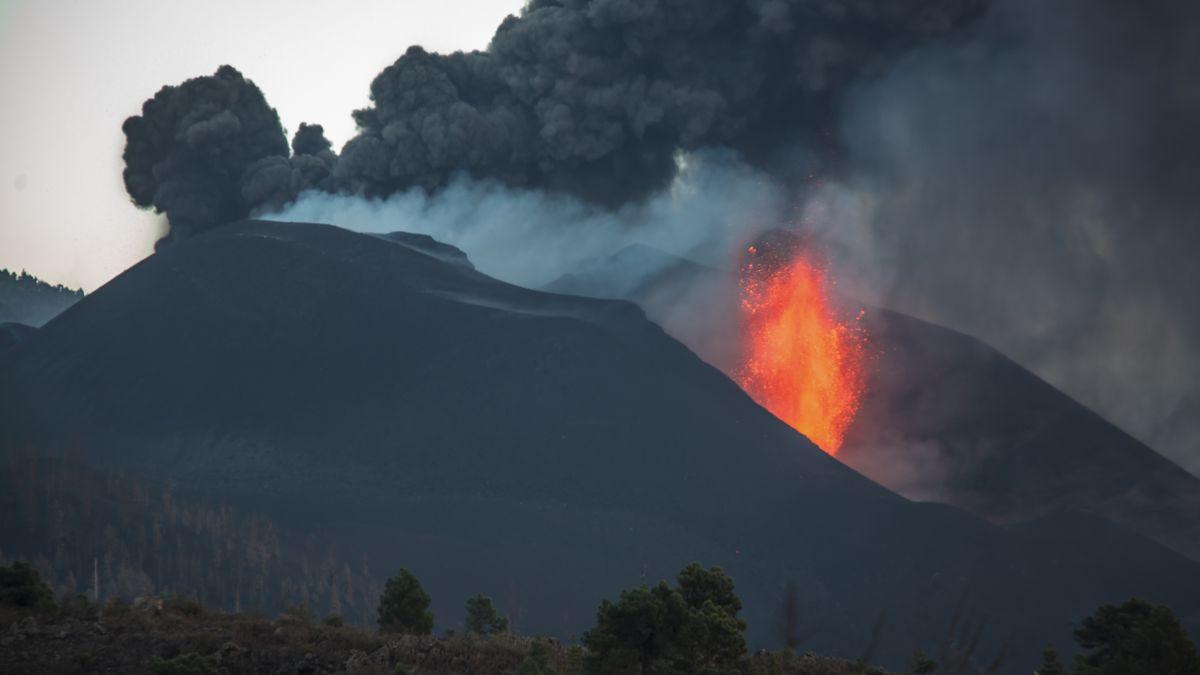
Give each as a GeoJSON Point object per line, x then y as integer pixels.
{"type": "Point", "coordinates": [71, 71]}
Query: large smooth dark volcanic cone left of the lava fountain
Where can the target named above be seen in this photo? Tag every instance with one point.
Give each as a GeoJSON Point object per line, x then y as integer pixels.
{"type": "Point", "coordinates": [544, 450]}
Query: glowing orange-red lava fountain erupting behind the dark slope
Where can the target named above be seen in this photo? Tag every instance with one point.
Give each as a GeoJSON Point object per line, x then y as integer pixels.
{"type": "Point", "coordinates": [801, 360]}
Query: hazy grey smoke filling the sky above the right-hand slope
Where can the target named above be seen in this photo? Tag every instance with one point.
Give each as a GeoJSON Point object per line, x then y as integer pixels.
{"type": "Point", "coordinates": [1037, 183]}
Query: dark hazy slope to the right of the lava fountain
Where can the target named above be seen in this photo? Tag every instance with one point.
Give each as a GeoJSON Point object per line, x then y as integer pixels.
{"type": "Point", "coordinates": [951, 420]}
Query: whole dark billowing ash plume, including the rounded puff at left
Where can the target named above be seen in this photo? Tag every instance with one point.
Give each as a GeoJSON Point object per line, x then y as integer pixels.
{"type": "Point", "coordinates": [590, 98]}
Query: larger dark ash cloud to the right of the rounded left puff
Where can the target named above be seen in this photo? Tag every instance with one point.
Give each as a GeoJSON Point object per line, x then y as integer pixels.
{"type": "Point", "coordinates": [596, 98]}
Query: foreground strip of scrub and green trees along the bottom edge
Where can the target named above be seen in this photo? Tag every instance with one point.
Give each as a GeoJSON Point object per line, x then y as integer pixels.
{"type": "Point", "coordinates": [691, 628]}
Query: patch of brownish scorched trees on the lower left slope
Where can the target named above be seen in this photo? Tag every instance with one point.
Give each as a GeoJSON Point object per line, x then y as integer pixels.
{"type": "Point", "coordinates": [77, 525]}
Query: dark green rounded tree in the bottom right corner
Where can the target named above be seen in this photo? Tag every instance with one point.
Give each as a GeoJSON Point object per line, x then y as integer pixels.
{"type": "Point", "coordinates": [1136, 638]}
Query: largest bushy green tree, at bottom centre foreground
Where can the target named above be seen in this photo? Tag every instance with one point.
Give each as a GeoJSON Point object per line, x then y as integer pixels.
{"type": "Point", "coordinates": [692, 629]}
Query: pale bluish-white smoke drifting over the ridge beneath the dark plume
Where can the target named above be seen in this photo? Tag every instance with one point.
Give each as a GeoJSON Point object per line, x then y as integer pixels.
{"type": "Point", "coordinates": [535, 237]}
